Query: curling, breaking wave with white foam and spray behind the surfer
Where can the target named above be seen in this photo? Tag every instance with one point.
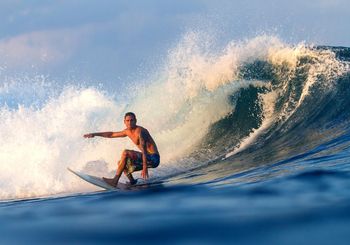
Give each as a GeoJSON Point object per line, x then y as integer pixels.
{"type": "Point", "coordinates": [215, 111]}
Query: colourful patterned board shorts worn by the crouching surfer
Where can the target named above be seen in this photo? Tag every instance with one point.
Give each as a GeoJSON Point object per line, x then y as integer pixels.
{"type": "Point", "coordinates": [134, 163]}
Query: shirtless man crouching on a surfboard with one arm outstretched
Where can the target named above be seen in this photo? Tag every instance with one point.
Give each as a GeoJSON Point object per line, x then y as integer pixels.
{"type": "Point", "coordinates": [130, 160]}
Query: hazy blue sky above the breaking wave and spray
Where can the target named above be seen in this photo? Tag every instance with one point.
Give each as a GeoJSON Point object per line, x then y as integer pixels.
{"type": "Point", "coordinates": [112, 41]}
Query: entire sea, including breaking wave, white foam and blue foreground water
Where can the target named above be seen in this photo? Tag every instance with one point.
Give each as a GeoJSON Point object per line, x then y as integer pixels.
{"type": "Point", "coordinates": [254, 140]}
